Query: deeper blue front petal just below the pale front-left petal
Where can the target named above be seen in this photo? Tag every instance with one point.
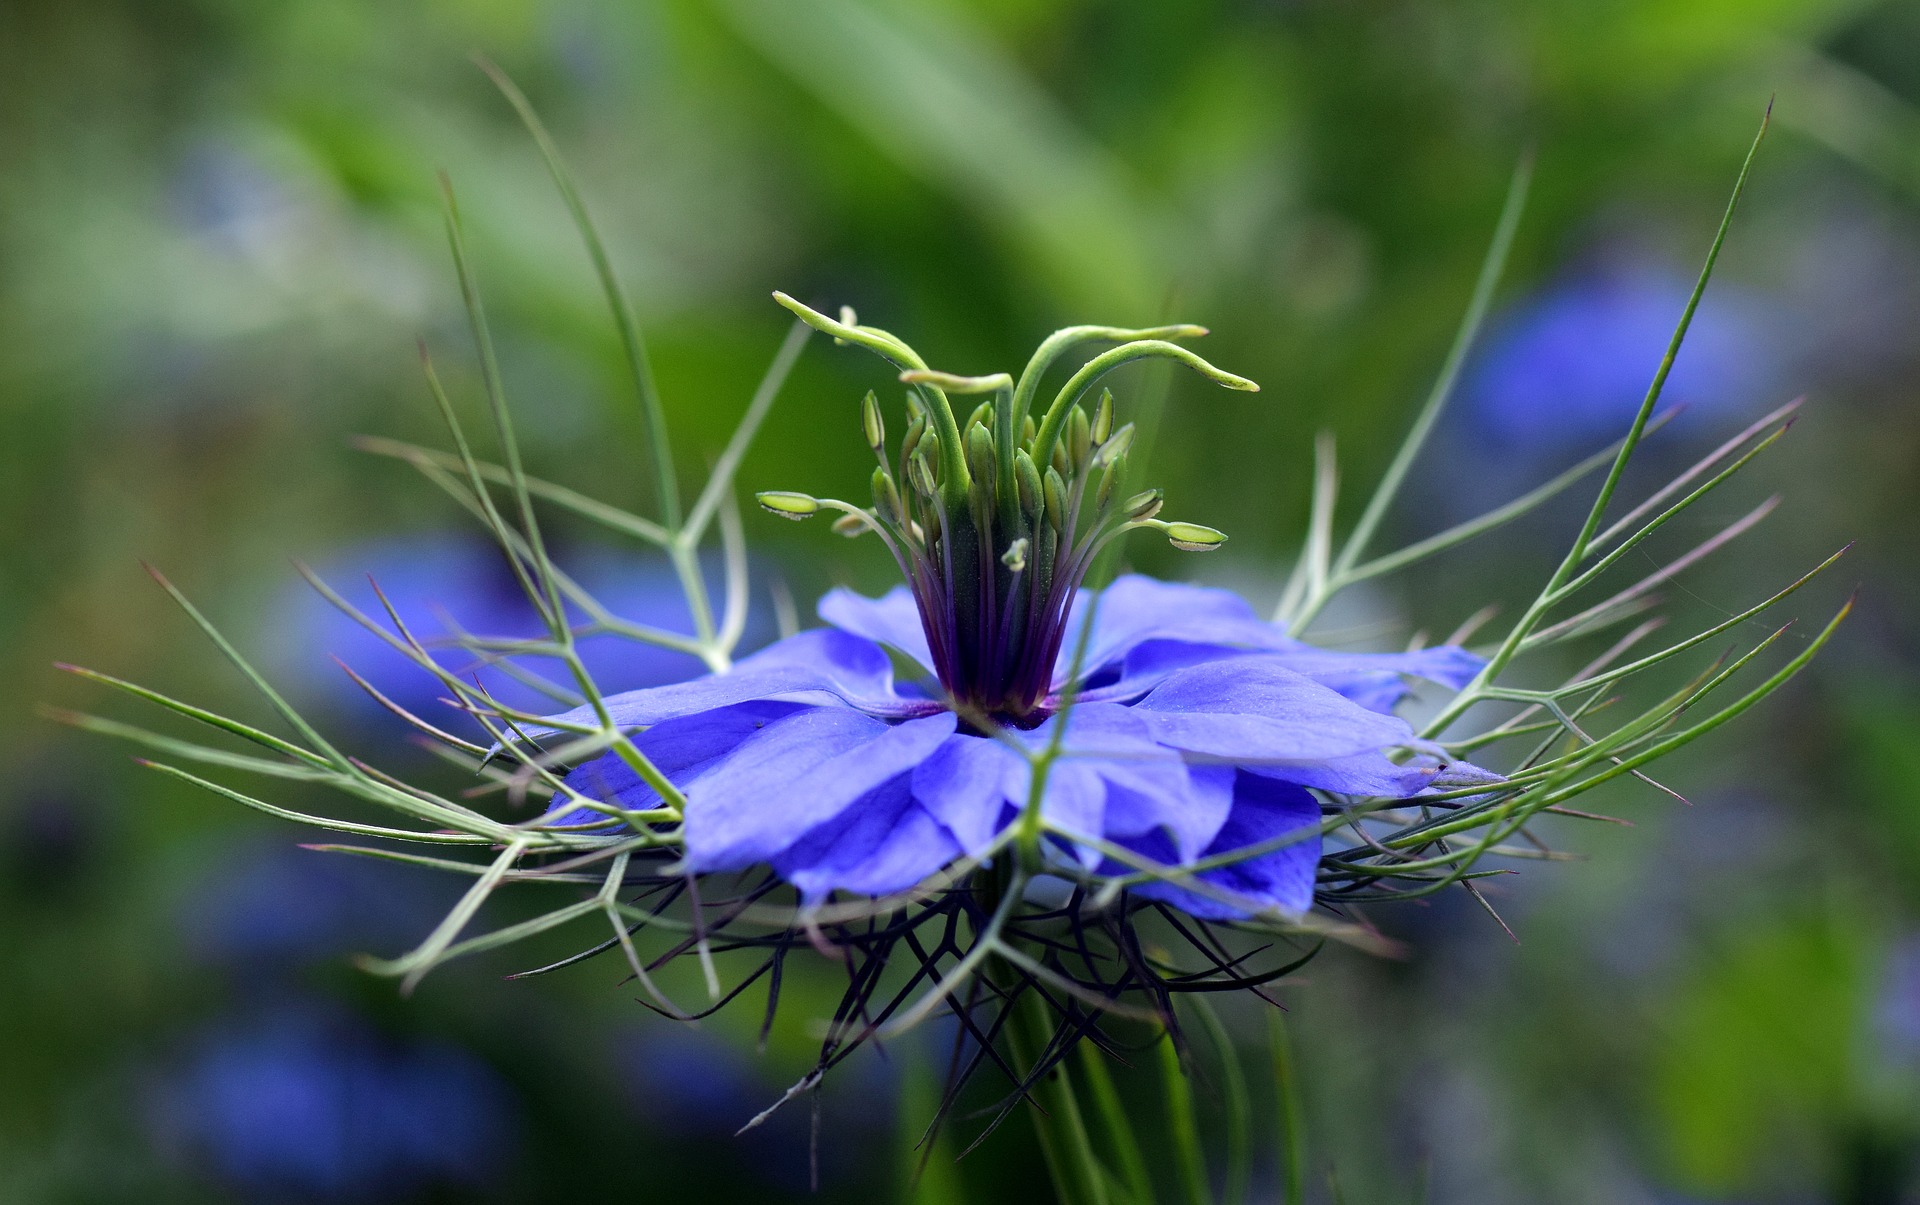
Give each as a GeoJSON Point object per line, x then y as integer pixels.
{"type": "Point", "coordinates": [882, 843]}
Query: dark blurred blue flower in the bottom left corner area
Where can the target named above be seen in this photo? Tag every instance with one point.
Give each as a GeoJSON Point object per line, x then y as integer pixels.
{"type": "Point", "coordinates": [310, 1104]}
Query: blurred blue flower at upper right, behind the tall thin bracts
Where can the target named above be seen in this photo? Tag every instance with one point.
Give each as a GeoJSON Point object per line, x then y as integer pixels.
{"type": "Point", "coordinates": [1568, 367]}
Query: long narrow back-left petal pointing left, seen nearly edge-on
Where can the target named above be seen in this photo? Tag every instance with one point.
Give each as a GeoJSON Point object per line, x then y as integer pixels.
{"type": "Point", "coordinates": [848, 669]}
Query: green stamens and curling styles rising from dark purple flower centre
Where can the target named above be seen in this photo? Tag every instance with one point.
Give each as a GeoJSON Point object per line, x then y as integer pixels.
{"type": "Point", "coordinates": [997, 521]}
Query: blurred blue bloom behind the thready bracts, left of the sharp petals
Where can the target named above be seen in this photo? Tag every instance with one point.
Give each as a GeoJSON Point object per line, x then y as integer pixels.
{"type": "Point", "coordinates": [450, 577]}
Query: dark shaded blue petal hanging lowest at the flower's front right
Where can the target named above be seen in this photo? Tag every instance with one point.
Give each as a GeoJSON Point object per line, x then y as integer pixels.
{"type": "Point", "coordinates": [1262, 811]}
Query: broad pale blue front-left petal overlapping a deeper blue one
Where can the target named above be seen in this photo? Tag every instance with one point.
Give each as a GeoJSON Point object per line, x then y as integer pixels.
{"type": "Point", "coordinates": [798, 774]}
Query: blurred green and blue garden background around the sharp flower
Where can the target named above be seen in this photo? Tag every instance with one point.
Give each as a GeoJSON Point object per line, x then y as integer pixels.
{"type": "Point", "coordinates": [220, 243]}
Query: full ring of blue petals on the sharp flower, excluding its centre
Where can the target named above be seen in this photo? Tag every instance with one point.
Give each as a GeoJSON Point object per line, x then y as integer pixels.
{"type": "Point", "coordinates": [1197, 730]}
